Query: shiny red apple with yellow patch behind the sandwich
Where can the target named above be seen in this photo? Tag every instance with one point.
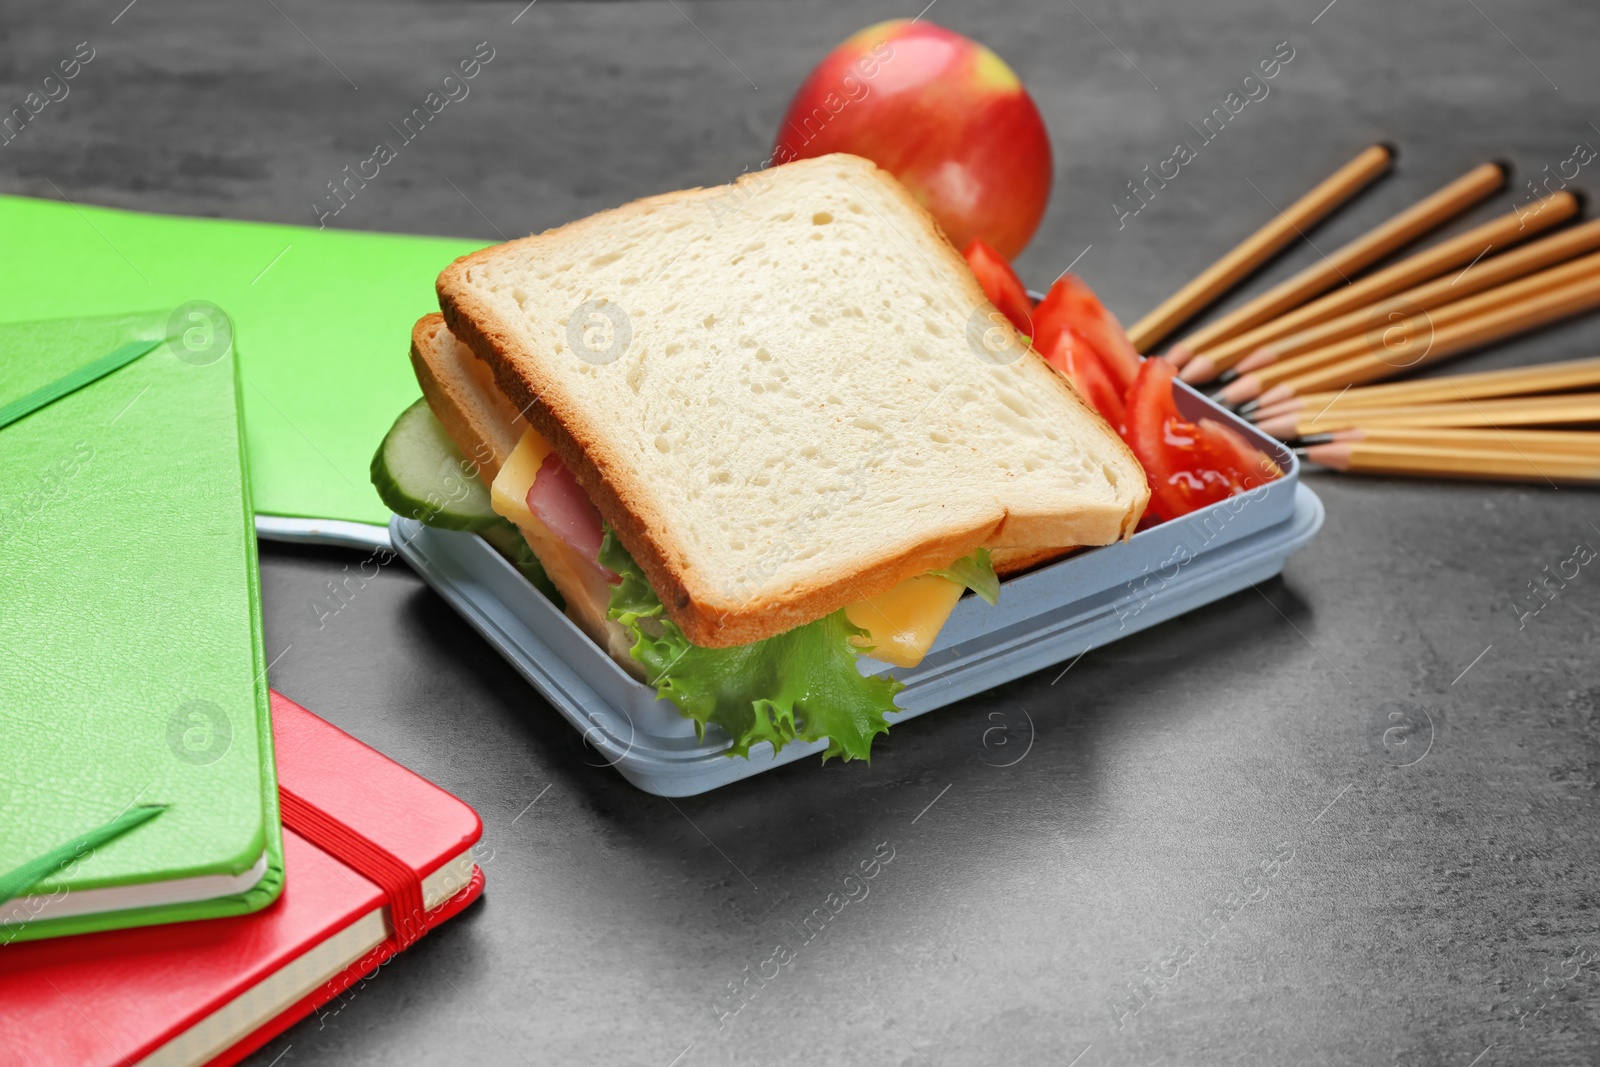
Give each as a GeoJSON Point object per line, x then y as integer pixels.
{"type": "Point", "coordinates": [943, 114]}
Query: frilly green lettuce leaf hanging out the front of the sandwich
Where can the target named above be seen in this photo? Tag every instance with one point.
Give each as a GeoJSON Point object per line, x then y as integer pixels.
{"type": "Point", "coordinates": [801, 685]}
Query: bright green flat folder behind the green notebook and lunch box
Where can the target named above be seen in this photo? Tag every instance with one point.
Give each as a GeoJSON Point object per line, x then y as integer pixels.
{"type": "Point", "coordinates": [324, 318]}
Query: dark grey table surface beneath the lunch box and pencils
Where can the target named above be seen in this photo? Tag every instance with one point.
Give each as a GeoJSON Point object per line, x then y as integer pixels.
{"type": "Point", "coordinates": [1407, 911]}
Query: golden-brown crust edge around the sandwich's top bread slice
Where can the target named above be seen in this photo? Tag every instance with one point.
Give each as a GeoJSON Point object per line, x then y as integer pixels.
{"type": "Point", "coordinates": [705, 618]}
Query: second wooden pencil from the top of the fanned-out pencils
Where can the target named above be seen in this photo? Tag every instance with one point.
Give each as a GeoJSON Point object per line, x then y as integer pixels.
{"type": "Point", "coordinates": [1330, 271]}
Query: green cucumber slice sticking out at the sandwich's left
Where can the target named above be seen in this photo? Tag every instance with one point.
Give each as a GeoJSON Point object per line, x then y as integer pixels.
{"type": "Point", "coordinates": [422, 474]}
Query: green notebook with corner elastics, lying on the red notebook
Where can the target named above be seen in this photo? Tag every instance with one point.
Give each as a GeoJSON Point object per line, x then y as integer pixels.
{"type": "Point", "coordinates": [130, 621]}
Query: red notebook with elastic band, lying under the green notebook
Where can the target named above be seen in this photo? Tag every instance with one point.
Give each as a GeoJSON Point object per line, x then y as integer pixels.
{"type": "Point", "coordinates": [374, 858]}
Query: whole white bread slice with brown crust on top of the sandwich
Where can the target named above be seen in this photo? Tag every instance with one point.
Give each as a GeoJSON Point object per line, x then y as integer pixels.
{"type": "Point", "coordinates": [780, 396]}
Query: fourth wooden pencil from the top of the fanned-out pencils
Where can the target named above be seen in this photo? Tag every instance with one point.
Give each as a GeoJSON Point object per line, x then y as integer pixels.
{"type": "Point", "coordinates": [1489, 274]}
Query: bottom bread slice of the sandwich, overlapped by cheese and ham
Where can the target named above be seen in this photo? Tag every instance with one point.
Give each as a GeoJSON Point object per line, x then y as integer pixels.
{"type": "Point", "coordinates": [486, 426]}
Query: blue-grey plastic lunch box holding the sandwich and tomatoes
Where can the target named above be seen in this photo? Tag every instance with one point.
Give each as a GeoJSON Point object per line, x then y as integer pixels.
{"type": "Point", "coordinates": [1044, 618]}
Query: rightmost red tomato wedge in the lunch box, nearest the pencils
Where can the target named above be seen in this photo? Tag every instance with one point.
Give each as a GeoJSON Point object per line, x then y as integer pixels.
{"type": "Point", "coordinates": [1190, 465]}
